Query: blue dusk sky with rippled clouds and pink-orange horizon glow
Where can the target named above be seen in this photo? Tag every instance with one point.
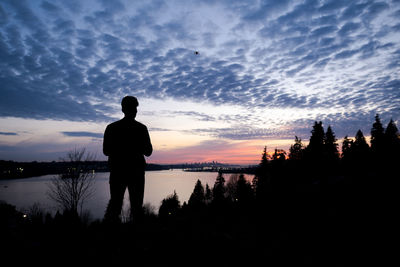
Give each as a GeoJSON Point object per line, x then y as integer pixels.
{"type": "Point", "coordinates": [265, 71]}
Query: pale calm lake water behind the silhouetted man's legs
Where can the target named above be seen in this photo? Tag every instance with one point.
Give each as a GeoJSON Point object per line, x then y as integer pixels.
{"type": "Point", "coordinates": [23, 193]}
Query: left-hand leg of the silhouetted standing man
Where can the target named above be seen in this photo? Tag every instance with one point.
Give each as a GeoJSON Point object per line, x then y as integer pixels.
{"type": "Point", "coordinates": [117, 191]}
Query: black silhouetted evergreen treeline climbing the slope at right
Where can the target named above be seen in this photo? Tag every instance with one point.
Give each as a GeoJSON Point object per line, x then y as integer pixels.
{"type": "Point", "coordinates": [317, 166]}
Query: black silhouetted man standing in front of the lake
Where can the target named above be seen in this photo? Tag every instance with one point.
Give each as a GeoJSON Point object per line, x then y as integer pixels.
{"type": "Point", "coordinates": [126, 142]}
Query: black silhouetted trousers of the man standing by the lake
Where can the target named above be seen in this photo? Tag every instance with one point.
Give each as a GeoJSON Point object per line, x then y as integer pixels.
{"type": "Point", "coordinates": [119, 181]}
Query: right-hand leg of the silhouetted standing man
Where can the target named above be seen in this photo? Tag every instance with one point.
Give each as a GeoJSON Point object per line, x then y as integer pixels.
{"type": "Point", "coordinates": [136, 194]}
